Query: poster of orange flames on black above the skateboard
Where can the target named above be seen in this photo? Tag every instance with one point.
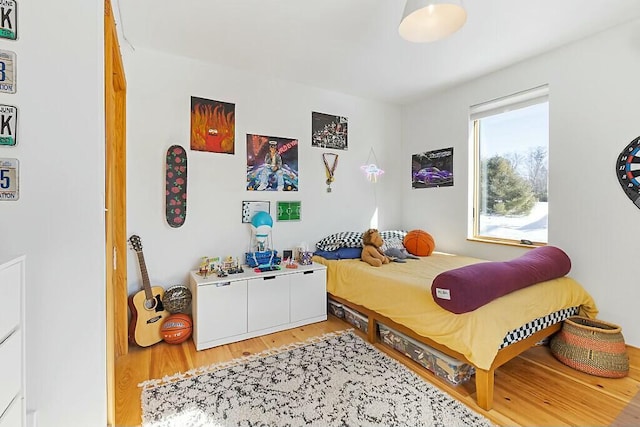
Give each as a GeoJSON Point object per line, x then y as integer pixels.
{"type": "Point", "coordinates": [213, 126]}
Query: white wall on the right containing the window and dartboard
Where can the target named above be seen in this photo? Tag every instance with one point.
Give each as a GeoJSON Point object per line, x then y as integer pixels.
{"type": "Point", "coordinates": [593, 116]}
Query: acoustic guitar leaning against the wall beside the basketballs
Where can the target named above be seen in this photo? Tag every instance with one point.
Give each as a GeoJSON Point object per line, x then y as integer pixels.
{"type": "Point", "coordinates": [147, 310]}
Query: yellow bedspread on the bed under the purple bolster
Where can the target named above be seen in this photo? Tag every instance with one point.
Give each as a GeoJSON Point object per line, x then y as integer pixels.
{"type": "Point", "coordinates": [402, 292]}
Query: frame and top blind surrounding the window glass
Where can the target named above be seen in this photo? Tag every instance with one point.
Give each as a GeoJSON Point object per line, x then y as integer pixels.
{"type": "Point", "coordinates": [518, 100]}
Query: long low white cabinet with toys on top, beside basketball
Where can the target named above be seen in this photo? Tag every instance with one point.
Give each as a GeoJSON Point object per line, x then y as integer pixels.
{"type": "Point", "coordinates": [249, 304]}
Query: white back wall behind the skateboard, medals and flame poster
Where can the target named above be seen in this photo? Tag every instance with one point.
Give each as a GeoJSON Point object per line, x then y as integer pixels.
{"type": "Point", "coordinates": [160, 87]}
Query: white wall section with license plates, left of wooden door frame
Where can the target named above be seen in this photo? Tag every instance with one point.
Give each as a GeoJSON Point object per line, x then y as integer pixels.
{"type": "Point", "coordinates": [59, 220]}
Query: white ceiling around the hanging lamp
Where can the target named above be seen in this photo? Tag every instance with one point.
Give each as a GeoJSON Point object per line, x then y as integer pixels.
{"type": "Point", "coordinates": [353, 46]}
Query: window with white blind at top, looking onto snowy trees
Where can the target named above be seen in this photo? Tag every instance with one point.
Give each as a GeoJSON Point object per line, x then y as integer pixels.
{"type": "Point", "coordinates": [511, 168]}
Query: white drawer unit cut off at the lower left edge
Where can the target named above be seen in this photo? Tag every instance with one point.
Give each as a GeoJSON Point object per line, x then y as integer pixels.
{"type": "Point", "coordinates": [12, 375]}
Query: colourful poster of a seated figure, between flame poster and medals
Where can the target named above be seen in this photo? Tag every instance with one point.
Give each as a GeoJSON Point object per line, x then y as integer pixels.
{"type": "Point", "coordinates": [272, 163]}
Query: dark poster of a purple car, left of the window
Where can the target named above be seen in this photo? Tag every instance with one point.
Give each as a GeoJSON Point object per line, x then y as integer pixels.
{"type": "Point", "coordinates": [432, 169]}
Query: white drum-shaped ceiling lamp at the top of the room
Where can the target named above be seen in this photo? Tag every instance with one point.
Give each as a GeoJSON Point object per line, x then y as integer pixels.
{"type": "Point", "coordinates": [430, 20]}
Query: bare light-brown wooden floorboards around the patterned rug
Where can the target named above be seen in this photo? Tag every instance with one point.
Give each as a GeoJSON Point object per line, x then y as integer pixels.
{"type": "Point", "coordinates": [533, 389]}
